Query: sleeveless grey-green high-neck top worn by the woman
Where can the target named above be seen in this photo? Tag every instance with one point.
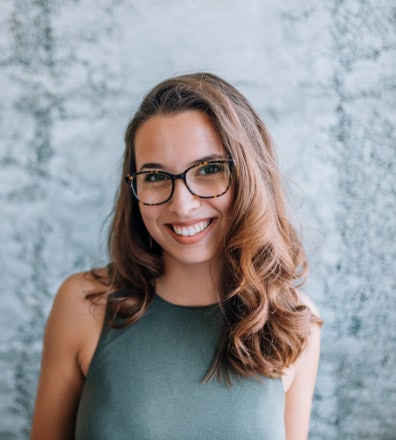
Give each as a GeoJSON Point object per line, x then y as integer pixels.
{"type": "Point", "coordinates": [145, 383]}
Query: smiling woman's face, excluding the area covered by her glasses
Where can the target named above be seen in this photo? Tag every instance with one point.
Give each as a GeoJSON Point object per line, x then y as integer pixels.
{"type": "Point", "coordinates": [189, 229]}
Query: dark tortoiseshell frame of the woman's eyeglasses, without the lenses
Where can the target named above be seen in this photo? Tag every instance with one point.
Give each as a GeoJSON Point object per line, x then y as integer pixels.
{"type": "Point", "coordinates": [130, 177]}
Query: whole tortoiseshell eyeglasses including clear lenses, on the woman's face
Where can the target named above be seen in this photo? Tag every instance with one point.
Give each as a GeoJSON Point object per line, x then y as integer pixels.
{"type": "Point", "coordinates": [206, 180]}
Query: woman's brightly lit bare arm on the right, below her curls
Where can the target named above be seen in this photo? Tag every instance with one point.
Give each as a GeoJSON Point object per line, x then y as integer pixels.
{"type": "Point", "coordinates": [300, 392]}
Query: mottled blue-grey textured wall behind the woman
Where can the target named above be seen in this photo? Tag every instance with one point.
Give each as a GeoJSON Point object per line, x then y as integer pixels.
{"type": "Point", "coordinates": [322, 75]}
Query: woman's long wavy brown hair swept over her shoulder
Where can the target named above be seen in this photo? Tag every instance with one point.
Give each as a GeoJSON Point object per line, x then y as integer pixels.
{"type": "Point", "coordinates": [266, 326]}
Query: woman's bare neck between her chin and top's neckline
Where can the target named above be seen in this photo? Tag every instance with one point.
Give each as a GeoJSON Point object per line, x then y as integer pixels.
{"type": "Point", "coordinates": [189, 285]}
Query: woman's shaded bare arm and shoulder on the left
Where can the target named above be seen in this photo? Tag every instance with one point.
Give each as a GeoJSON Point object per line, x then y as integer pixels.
{"type": "Point", "coordinates": [70, 338]}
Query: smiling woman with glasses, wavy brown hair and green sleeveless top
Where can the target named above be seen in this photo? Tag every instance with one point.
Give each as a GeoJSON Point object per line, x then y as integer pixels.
{"type": "Point", "coordinates": [196, 329]}
